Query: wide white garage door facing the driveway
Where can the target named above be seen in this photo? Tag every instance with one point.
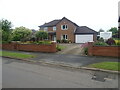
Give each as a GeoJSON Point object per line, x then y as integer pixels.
{"type": "Point", "coordinates": [83, 38]}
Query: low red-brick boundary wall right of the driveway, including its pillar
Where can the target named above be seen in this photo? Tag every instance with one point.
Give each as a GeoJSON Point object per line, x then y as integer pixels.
{"type": "Point", "coordinates": [113, 51]}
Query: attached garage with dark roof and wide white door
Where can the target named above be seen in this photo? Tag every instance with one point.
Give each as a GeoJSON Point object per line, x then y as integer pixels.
{"type": "Point", "coordinates": [84, 34]}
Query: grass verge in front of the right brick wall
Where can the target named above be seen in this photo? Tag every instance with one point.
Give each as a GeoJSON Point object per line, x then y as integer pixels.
{"type": "Point", "coordinates": [106, 65]}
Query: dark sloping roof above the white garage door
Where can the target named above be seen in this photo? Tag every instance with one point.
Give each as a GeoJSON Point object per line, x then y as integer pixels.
{"type": "Point", "coordinates": [84, 30]}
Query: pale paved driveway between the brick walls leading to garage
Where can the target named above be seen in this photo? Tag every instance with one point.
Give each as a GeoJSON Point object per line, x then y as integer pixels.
{"type": "Point", "coordinates": [72, 49]}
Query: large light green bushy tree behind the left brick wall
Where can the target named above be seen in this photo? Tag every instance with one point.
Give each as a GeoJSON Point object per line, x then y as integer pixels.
{"type": "Point", "coordinates": [21, 34]}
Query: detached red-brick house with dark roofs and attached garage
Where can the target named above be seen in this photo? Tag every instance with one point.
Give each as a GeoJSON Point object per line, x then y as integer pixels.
{"type": "Point", "coordinates": [68, 30]}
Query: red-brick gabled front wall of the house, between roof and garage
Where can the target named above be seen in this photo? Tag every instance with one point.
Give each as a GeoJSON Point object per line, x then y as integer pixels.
{"type": "Point", "coordinates": [69, 32]}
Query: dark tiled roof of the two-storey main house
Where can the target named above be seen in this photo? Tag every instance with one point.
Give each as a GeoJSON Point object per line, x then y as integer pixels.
{"type": "Point", "coordinates": [55, 22]}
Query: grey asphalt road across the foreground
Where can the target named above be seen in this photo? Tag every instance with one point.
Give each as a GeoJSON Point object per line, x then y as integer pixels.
{"type": "Point", "coordinates": [20, 74]}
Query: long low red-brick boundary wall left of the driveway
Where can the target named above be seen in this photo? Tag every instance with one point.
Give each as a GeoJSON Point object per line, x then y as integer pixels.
{"type": "Point", "coordinates": [30, 47]}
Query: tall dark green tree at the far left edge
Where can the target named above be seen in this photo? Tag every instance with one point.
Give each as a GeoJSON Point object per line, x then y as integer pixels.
{"type": "Point", "coordinates": [5, 27]}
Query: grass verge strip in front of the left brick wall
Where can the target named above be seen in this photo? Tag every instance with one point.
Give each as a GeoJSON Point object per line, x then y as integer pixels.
{"type": "Point", "coordinates": [15, 55]}
